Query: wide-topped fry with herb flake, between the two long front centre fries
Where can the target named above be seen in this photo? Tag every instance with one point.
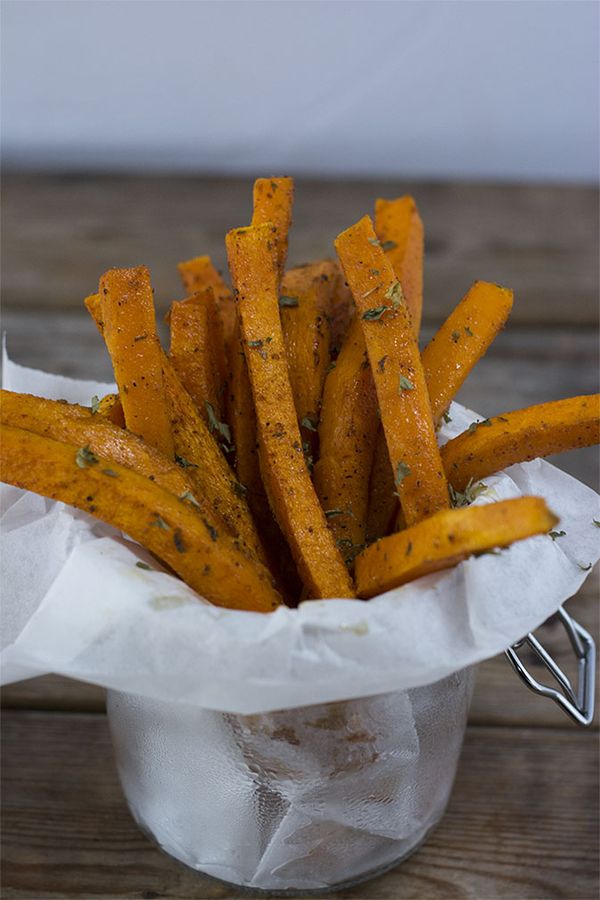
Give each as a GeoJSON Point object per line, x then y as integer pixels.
{"type": "Point", "coordinates": [304, 300]}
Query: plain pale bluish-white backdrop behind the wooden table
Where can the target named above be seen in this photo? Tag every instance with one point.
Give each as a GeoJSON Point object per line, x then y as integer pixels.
{"type": "Point", "coordinates": [471, 89]}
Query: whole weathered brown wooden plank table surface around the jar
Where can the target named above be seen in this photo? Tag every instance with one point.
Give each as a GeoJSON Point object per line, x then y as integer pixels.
{"type": "Point", "coordinates": [523, 818]}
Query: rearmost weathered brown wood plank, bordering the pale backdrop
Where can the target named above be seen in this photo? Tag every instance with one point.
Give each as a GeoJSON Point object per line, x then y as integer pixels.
{"type": "Point", "coordinates": [61, 232]}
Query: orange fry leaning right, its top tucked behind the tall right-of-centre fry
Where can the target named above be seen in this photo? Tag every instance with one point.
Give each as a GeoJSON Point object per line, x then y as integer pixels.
{"type": "Point", "coordinates": [347, 431]}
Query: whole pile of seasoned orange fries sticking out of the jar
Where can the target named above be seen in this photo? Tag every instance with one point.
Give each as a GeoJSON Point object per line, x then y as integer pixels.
{"type": "Point", "coordinates": [285, 448]}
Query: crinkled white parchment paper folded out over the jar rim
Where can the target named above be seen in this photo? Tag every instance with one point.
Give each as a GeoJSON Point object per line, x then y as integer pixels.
{"type": "Point", "coordinates": [76, 604]}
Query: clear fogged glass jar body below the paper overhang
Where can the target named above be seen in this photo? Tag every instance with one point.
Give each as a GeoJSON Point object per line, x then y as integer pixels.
{"type": "Point", "coordinates": [308, 799]}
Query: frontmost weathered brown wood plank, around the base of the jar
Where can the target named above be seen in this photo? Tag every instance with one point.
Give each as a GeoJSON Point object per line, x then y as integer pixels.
{"type": "Point", "coordinates": [522, 821]}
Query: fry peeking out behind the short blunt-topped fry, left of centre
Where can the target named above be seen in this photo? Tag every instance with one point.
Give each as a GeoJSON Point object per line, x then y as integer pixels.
{"type": "Point", "coordinates": [197, 275]}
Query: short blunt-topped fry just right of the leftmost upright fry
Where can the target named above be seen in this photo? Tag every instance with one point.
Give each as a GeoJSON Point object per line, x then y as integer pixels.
{"type": "Point", "coordinates": [192, 342]}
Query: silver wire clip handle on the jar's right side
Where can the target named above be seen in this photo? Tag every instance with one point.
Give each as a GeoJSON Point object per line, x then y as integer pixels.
{"type": "Point", "coordinates": [578, 704]}
